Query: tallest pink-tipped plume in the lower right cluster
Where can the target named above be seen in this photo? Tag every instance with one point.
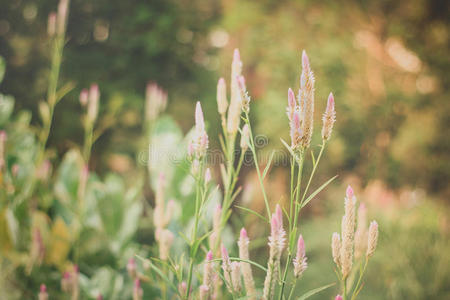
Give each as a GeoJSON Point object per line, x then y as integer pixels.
{"type": "Point", "coordinates": [348, 233]}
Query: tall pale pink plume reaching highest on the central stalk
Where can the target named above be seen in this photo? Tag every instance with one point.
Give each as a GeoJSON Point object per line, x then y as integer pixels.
{"type": "Point", "coordinates": [234, 110]}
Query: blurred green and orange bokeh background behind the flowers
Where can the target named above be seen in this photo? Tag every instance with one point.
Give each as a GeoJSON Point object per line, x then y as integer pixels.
{"type": "Point", "coordinates": [387, 63]}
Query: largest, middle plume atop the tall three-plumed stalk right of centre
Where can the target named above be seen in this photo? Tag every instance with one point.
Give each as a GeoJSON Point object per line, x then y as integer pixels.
{"type": "Point", "coordinates": [307, 96]}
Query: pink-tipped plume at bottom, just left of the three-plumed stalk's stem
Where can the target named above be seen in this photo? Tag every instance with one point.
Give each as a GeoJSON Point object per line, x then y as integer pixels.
{"type": "Point", "coordinates": [276, 246]}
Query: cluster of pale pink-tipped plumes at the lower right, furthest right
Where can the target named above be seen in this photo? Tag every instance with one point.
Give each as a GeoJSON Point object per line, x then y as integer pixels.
{"type": "Point", "coordinates": [345, 245]}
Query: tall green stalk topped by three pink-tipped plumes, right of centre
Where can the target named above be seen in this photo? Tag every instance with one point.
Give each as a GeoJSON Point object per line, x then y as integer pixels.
{"type": "Point", "coordinates": [300, 113]}
